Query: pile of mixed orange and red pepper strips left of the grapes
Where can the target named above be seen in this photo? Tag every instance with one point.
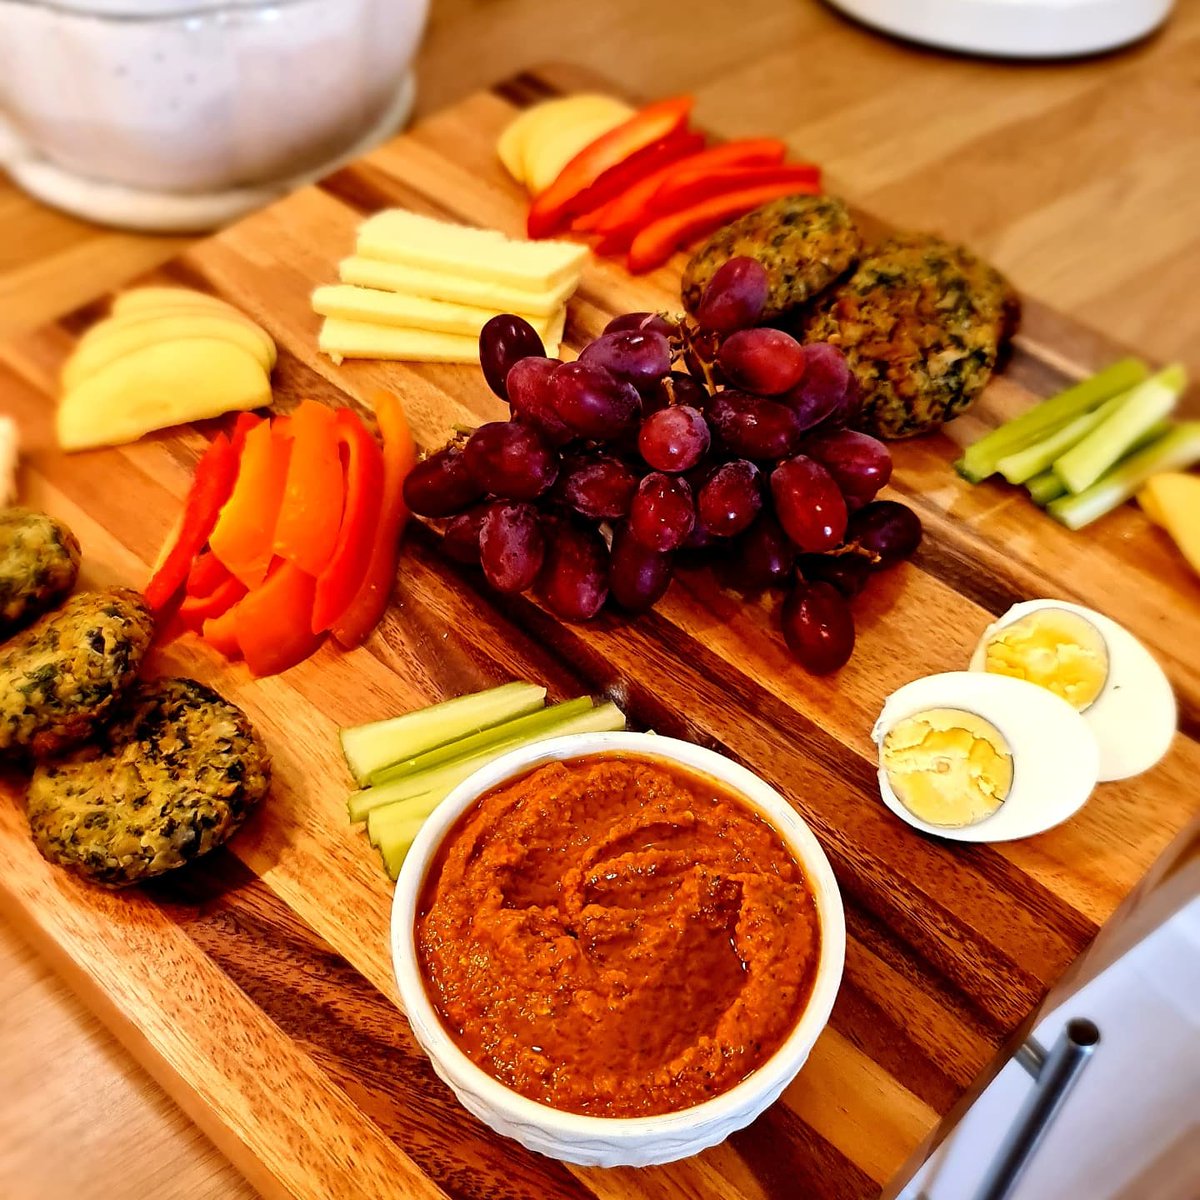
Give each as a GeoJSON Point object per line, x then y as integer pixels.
{"type": "Point", "coordinates": [291, 530]}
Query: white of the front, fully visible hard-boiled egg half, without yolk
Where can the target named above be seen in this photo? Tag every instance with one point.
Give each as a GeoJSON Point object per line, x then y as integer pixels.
{"type": "Point", "coordinates": [1055, 757]}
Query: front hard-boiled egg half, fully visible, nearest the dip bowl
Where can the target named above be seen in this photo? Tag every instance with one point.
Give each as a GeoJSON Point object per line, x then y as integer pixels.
{"type": "Point", "coordinates": [983, 758]}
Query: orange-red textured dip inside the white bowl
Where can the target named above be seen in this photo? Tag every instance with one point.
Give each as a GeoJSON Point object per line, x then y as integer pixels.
{"type": "Point", "coordinates": [617, 937]}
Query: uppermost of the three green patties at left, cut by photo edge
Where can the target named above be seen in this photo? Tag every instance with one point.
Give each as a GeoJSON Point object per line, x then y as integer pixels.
{"type": "Point", "coordinates": [39, 566]}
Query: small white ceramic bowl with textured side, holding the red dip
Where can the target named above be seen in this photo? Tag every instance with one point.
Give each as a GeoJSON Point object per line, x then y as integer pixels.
{"type": "Point", "coordinates": [610, 1142]}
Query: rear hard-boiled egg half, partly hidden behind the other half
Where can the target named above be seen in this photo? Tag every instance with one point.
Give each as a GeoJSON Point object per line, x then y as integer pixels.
{"type": "Point", "coordinates": [1096, 667]}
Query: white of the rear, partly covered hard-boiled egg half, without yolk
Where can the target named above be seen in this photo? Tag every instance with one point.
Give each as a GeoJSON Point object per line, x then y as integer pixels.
{"type": "Point", "coordinates": [1135, 717]}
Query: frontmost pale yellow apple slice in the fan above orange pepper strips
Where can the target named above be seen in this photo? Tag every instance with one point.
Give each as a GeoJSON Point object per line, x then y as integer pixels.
{"type": "Point", "coordinates": [158, 387]}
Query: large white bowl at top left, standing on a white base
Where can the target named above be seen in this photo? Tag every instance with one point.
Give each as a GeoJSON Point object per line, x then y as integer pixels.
{"type": "Point", "coordinates": [200, 99]}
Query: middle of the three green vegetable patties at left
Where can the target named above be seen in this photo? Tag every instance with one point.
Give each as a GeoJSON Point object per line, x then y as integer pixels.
{"type": "Point", "coordinates": [62, 675]}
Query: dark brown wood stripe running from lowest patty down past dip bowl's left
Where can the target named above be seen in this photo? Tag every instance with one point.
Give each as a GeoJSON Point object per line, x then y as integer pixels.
{"type": "Point", "coordinates": [355, 1033]}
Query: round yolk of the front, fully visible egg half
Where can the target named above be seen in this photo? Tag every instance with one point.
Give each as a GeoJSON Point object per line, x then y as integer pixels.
{"type": "Point", "coordinates": [947, 767]}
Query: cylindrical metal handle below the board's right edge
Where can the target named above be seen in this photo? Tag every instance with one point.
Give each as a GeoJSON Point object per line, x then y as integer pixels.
{"type": "Point", "coordinates": [1055, 1075]}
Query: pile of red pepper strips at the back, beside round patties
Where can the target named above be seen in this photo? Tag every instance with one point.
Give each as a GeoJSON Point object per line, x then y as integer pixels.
{"type": "Point", "coordinates": [650, 187]}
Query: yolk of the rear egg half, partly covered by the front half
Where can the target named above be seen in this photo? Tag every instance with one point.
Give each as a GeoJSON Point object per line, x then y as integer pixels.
{"type": "Point", "coordinates": [1055, 650]}
